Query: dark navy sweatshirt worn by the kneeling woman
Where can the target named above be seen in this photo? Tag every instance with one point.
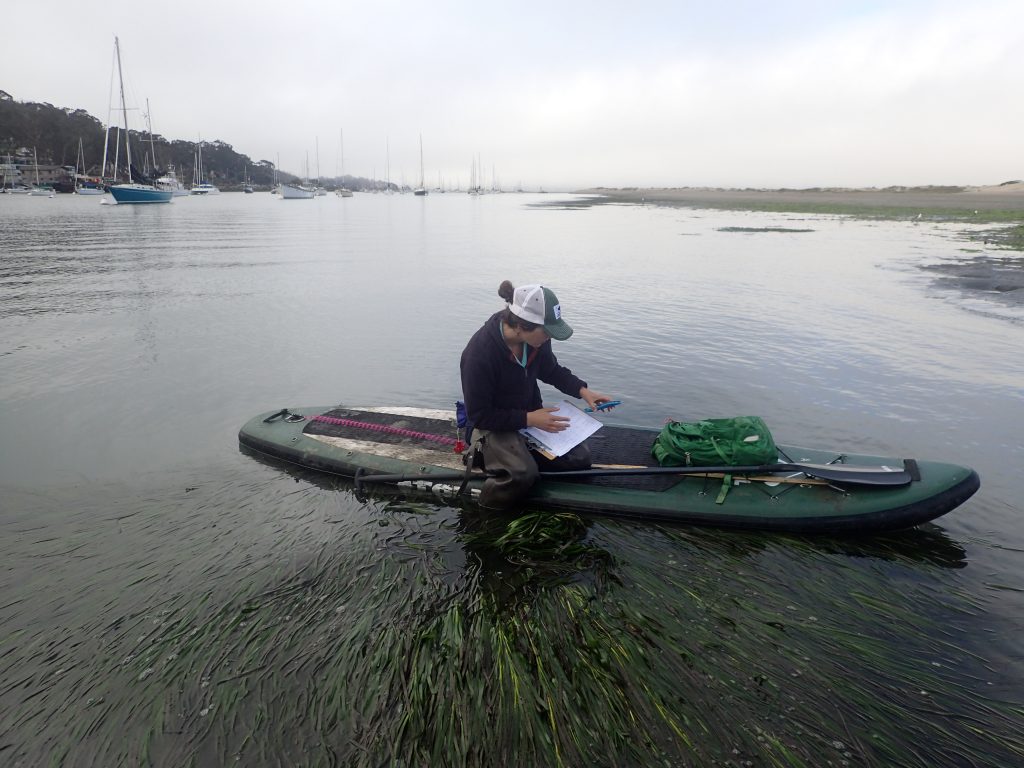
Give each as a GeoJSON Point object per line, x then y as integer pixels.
{"type": "Point", "coordinates": [498, 391]}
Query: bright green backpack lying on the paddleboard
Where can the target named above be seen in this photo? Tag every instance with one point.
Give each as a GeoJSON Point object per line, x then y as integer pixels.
{"type": "Point", "coordinates": [743, 441]}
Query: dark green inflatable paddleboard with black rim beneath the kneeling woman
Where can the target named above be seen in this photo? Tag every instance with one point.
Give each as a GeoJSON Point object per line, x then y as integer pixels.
{"type": "Point", "coordinates": [420, 444]}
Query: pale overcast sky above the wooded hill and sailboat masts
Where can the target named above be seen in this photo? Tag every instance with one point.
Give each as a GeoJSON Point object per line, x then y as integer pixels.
{"type": "Point", "coordinates": [563, 95]}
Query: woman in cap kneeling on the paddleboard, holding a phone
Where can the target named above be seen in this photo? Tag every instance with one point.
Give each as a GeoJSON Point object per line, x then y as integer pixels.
{"type": "Point", "coordinates": [501, 366]}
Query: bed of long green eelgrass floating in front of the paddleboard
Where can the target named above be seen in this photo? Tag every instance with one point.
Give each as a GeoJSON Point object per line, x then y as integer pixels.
{"type": "Point", "coordinates": [434, 639]}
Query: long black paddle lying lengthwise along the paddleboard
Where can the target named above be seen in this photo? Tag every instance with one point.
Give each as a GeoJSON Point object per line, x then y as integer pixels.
{"type": "Point", "coordinates": [843, 474]}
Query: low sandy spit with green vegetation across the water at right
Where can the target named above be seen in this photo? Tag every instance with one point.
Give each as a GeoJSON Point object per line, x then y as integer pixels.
{"type": "Point", "coordinates": [1001, 198]}
